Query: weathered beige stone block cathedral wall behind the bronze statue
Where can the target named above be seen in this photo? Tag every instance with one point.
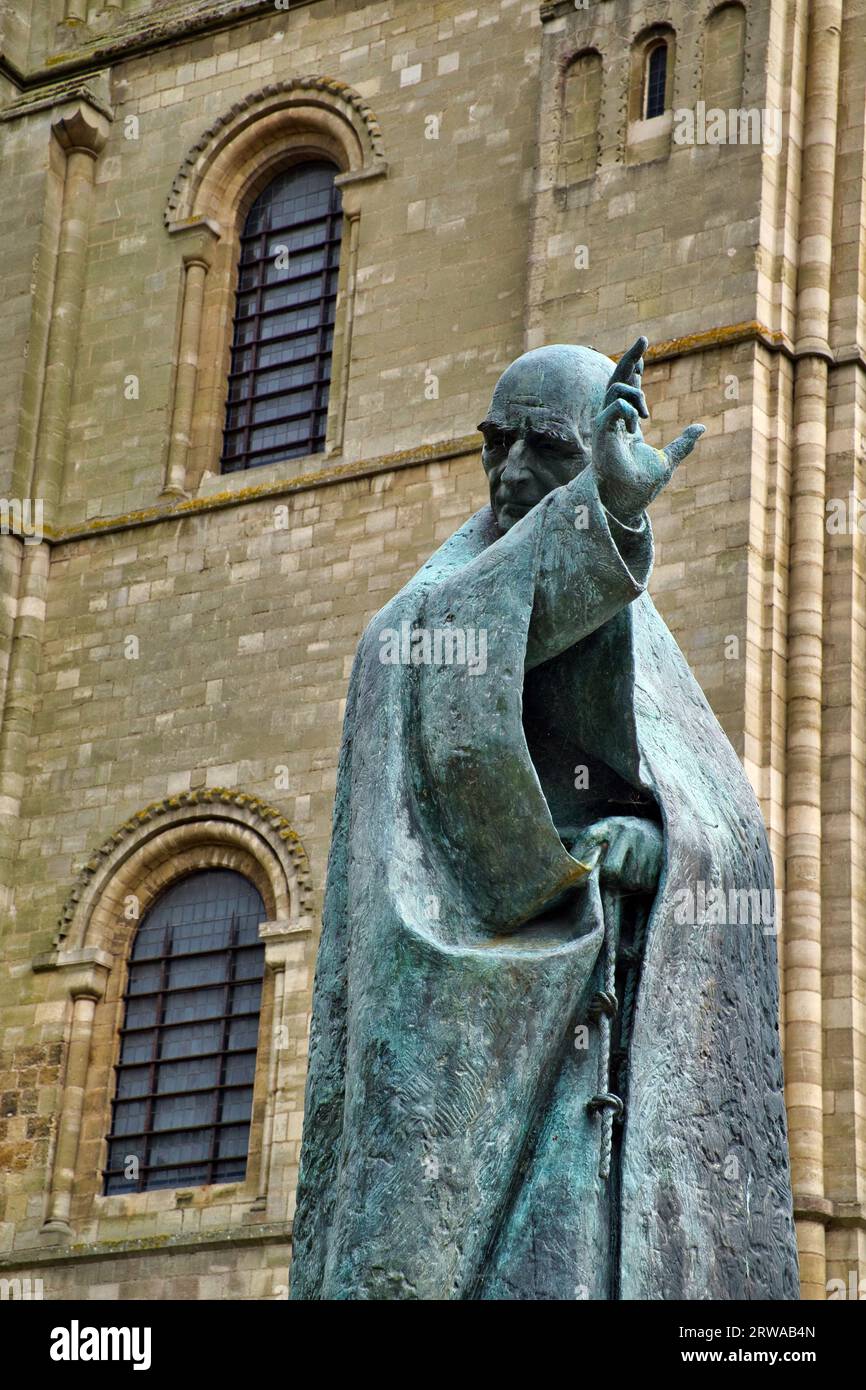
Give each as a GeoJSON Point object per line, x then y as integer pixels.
{"type": "Point", "coordinates": [190, 644]}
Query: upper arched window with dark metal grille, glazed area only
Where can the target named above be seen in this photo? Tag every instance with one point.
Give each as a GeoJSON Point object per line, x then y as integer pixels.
{"type": "Point", "coordinates": [284, 320]}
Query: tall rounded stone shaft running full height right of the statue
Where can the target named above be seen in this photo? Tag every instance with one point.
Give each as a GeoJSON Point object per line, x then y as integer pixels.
{"type": "Point", "coordinates": [803, 956]}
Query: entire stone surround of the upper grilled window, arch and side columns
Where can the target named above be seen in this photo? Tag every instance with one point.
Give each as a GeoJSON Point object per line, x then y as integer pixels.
{"type": "Point", "coordinates": [309, 117]}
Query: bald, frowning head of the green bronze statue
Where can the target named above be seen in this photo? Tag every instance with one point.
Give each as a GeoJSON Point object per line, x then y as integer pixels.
{"type": "Point", "coordinates": [537, 430]}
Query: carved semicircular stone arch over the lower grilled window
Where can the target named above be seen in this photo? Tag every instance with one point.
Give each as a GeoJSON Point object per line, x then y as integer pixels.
{"type": "Point", "coordinates": [191, 831]}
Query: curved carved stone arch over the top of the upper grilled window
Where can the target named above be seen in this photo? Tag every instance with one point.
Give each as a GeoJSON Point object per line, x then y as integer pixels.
{"type": "Point", "coordinates": [363, 136]}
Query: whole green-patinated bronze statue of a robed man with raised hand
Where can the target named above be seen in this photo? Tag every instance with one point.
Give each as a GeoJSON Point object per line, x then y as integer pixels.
{"type": "Point", "coordinates": [529, 1078]}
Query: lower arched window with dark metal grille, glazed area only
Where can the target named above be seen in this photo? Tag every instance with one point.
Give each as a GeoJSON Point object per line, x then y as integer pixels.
{"type": "Point", "coordinates": [184, 1096]}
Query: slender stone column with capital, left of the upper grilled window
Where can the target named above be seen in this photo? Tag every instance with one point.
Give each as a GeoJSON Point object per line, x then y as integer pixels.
{"type": "Point", "coordinates": [199, 241]}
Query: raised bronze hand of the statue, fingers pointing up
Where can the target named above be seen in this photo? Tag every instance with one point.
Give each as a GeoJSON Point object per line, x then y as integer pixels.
{"type": "Point", "coordinates": [629, 472]}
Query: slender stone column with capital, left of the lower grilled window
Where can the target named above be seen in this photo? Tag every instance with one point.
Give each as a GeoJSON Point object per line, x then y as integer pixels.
{"type": "Point", "coordinates": [87, 975]}
